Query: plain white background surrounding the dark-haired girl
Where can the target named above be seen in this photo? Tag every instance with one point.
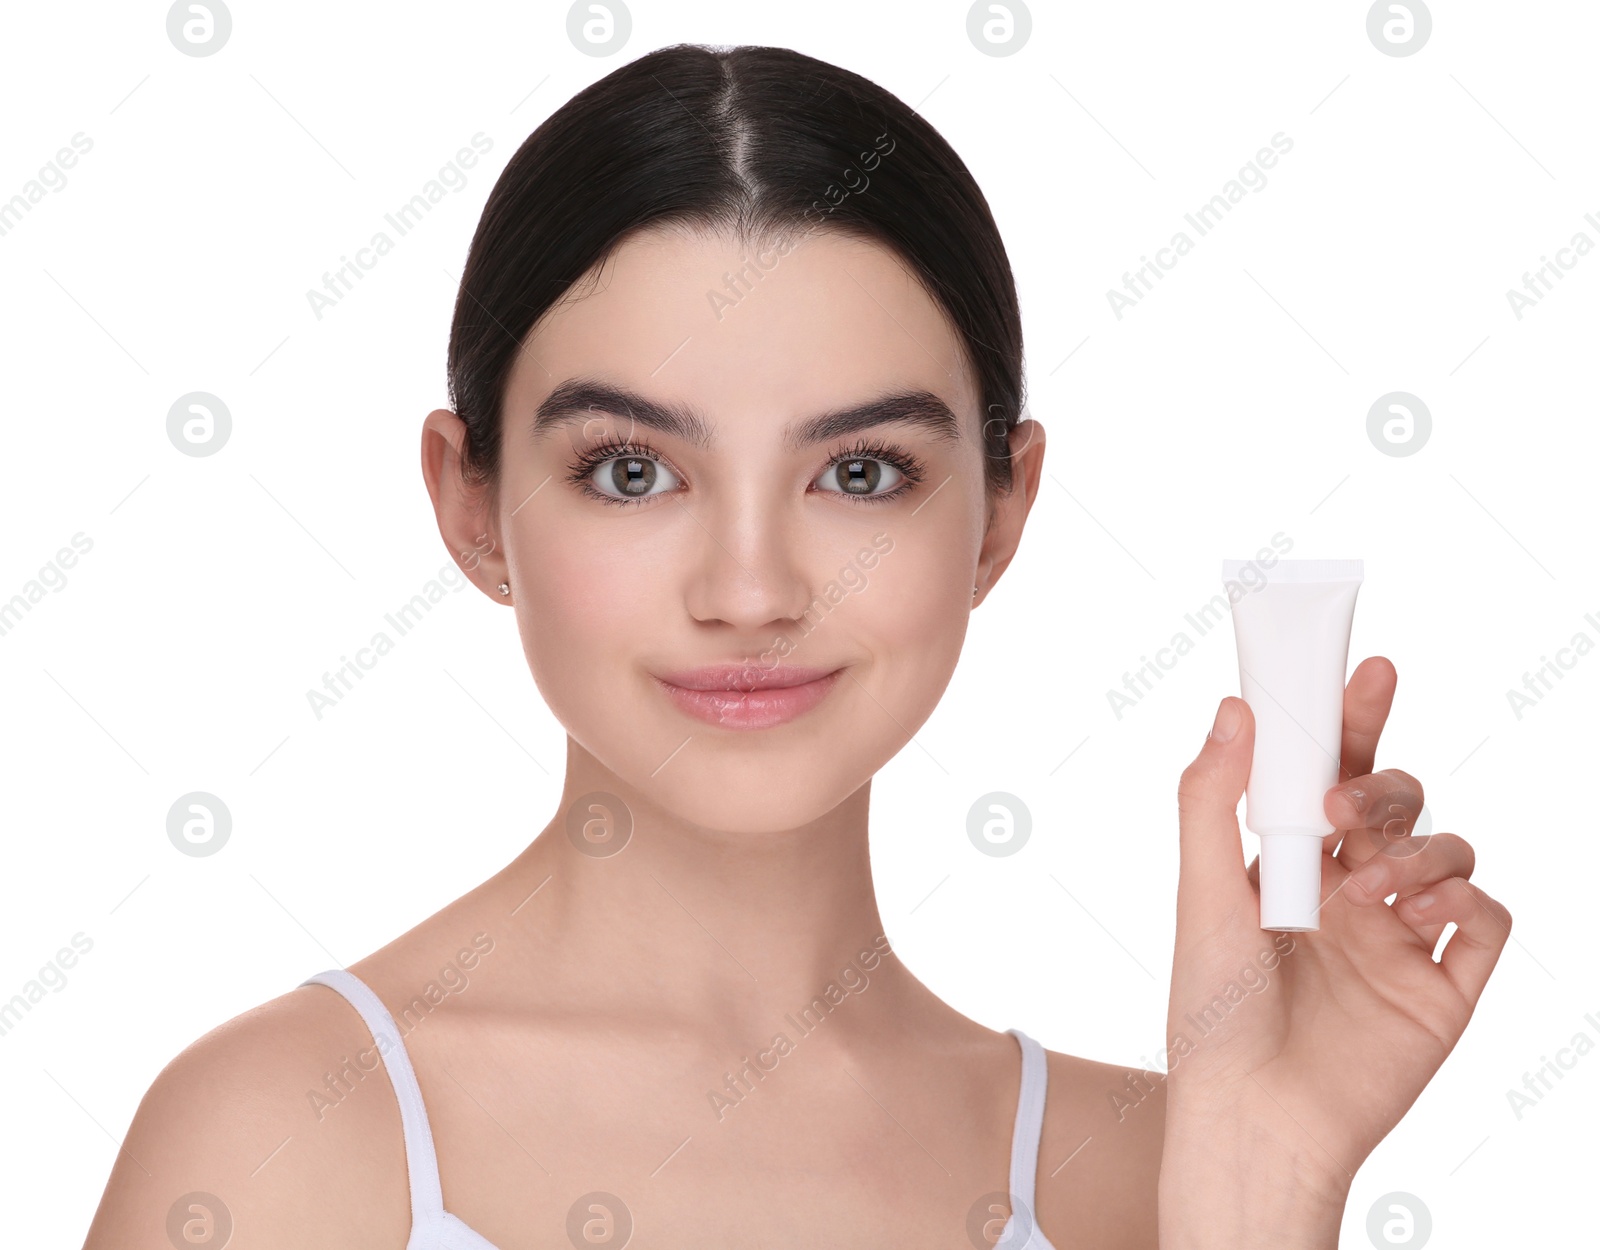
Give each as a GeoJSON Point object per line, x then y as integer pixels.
{"type": "Point", "coordinates": [1230, 406]}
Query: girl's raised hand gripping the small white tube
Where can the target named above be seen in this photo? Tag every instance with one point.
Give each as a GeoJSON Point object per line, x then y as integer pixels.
{"type": "Point", "coordinates": [1337, 1032]}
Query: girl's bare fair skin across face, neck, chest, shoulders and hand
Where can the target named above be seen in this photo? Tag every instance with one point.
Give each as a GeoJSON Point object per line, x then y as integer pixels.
{"type": "Point", "coordinates": [622, 988]}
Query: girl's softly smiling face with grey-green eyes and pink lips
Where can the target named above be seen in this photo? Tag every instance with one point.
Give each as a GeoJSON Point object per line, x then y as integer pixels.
{"type": "Point", "coordinates": [759, 460]}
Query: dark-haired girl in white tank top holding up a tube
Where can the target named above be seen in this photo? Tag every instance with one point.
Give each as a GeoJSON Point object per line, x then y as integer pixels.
{"type": "Point", "coordinates": [737, 383]}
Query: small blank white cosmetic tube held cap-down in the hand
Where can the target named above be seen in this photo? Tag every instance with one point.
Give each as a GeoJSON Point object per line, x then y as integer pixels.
{"type": "Point", "coordinates": [1292, 622]}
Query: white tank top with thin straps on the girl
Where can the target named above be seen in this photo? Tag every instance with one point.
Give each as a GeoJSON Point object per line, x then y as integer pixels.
{"type": "Point", "coordinates": [434, 1228]}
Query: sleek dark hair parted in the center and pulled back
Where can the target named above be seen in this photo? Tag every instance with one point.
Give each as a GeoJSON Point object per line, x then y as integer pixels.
{"type": "Point", "coordinates": [759, 143]}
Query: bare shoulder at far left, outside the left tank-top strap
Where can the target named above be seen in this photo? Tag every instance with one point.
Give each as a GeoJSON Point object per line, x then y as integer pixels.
{"type": "Point", "coordinates": [244, 1126]}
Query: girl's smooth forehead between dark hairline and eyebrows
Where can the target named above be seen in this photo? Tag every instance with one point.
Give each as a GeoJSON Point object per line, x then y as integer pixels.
{"type": "Point", "coordinates": [751, 335]}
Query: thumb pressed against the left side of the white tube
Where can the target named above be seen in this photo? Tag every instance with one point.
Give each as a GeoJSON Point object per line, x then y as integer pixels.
{"type": "Point", "coordinates": [1210, 855]}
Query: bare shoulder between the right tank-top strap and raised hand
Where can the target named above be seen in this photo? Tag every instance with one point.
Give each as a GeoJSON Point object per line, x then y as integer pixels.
{"type": "Point", "coordinates": [1100, 1153]}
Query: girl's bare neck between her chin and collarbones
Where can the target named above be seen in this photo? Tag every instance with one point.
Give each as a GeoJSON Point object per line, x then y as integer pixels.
{"type": "Point", "coordinates": [729, 934]}
